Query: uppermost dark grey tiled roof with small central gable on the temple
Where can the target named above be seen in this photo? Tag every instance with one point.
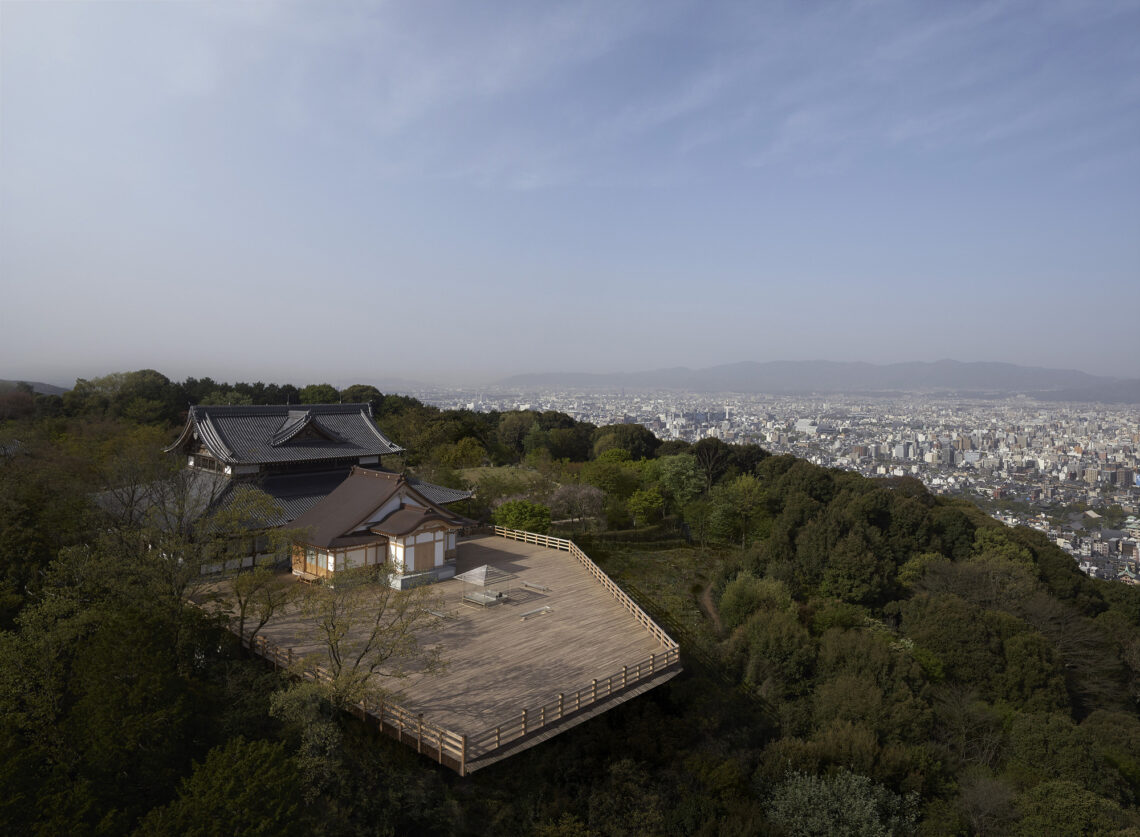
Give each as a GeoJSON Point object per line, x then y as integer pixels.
{"type": "Point", "coordinates": [255, 436]}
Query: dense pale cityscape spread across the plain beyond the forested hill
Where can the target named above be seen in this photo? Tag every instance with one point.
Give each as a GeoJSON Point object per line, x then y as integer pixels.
{"type": "Point", "coordinates": [1071, 470]}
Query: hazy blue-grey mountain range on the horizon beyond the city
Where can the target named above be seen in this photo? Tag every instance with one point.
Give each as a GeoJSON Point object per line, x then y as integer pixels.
{"type": "Point", "coordinates": [805, 377]}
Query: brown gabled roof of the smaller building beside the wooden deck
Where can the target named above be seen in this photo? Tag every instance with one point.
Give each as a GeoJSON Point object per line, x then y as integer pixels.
{"type": "Point", "coordinates": [337, 519]}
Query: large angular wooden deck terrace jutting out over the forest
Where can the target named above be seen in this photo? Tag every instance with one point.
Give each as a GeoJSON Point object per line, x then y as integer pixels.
{"type": "Point", "coordinates": [558, 631]}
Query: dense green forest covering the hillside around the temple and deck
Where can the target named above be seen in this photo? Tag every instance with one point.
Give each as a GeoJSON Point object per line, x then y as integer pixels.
{"type": "Point", "coordinates": [861, 657]}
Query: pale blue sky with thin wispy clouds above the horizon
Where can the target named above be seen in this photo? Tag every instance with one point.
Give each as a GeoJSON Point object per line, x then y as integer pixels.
{"type": "Point", "coordinates": [458, 192]}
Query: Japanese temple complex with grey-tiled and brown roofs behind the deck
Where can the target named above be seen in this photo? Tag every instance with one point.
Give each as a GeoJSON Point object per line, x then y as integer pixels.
{"type": "Point", "coordinates": [324, 466]}
